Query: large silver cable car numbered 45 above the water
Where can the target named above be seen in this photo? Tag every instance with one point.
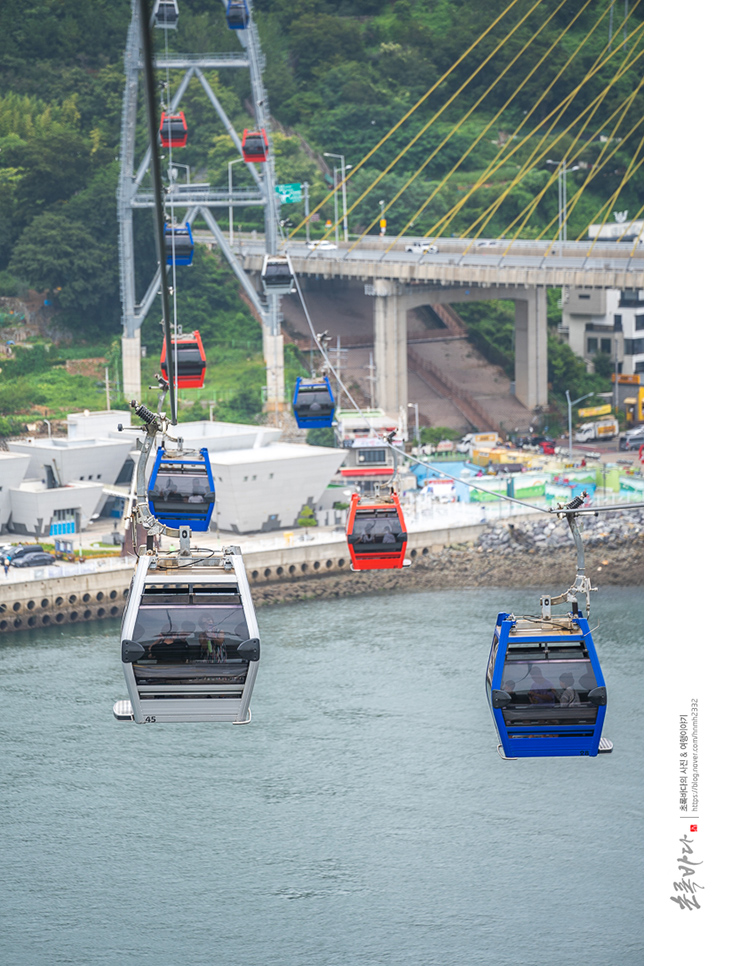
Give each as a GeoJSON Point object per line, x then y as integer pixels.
{"type": "Point", "coordinates": [190, 640]}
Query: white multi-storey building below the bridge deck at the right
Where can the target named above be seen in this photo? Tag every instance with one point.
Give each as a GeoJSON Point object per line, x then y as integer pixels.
{"type": "Point", "coordinates": [605, 321]}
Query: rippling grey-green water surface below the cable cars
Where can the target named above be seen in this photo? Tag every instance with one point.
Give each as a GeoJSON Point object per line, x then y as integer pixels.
{"type": "Point", "coordinates": [363, 817]}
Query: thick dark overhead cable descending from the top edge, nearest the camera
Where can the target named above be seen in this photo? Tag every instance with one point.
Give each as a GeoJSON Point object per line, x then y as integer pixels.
{"type": "Point", "coordinates": [159, 207]}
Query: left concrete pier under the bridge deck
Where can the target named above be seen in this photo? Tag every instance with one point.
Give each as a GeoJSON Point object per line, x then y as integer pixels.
{"type": "Point", "coordinates": [391, 347]}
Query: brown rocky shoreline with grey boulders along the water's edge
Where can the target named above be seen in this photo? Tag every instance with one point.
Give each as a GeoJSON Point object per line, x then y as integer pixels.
{"type": "Point", "coordinates": [527, 552]}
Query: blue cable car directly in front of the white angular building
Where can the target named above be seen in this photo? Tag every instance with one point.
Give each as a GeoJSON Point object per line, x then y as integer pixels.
{"type": "Point", "coordinates": [181, 489]}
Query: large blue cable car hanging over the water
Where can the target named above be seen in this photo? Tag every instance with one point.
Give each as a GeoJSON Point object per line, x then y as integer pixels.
{"type": "Point", "coordinates": [545, 687]}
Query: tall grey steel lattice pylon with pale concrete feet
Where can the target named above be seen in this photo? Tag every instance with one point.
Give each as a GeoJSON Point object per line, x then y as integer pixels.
{"type": "Point", "coordinates": [196, 200]}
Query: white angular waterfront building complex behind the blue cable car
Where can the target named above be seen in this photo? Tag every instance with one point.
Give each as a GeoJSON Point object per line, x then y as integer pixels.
{"type": "Point", "coordinates": [50, 485]}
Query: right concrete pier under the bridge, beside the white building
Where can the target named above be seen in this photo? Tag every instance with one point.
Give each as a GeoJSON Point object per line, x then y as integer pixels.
{"type": "Point", "coordinates": [531, 347]}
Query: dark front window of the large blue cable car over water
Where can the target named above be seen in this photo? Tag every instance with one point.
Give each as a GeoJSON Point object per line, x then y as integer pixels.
{"type": "Point", "coordinates": [548, 687]}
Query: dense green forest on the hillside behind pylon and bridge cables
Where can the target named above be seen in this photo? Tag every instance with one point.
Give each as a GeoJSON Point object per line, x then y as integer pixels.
{"type": "Point", "coordinates": [451, 112]}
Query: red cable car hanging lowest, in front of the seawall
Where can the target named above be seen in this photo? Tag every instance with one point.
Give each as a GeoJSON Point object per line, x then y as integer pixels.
{"type": "Point", "coordinates": [376, 533]}
